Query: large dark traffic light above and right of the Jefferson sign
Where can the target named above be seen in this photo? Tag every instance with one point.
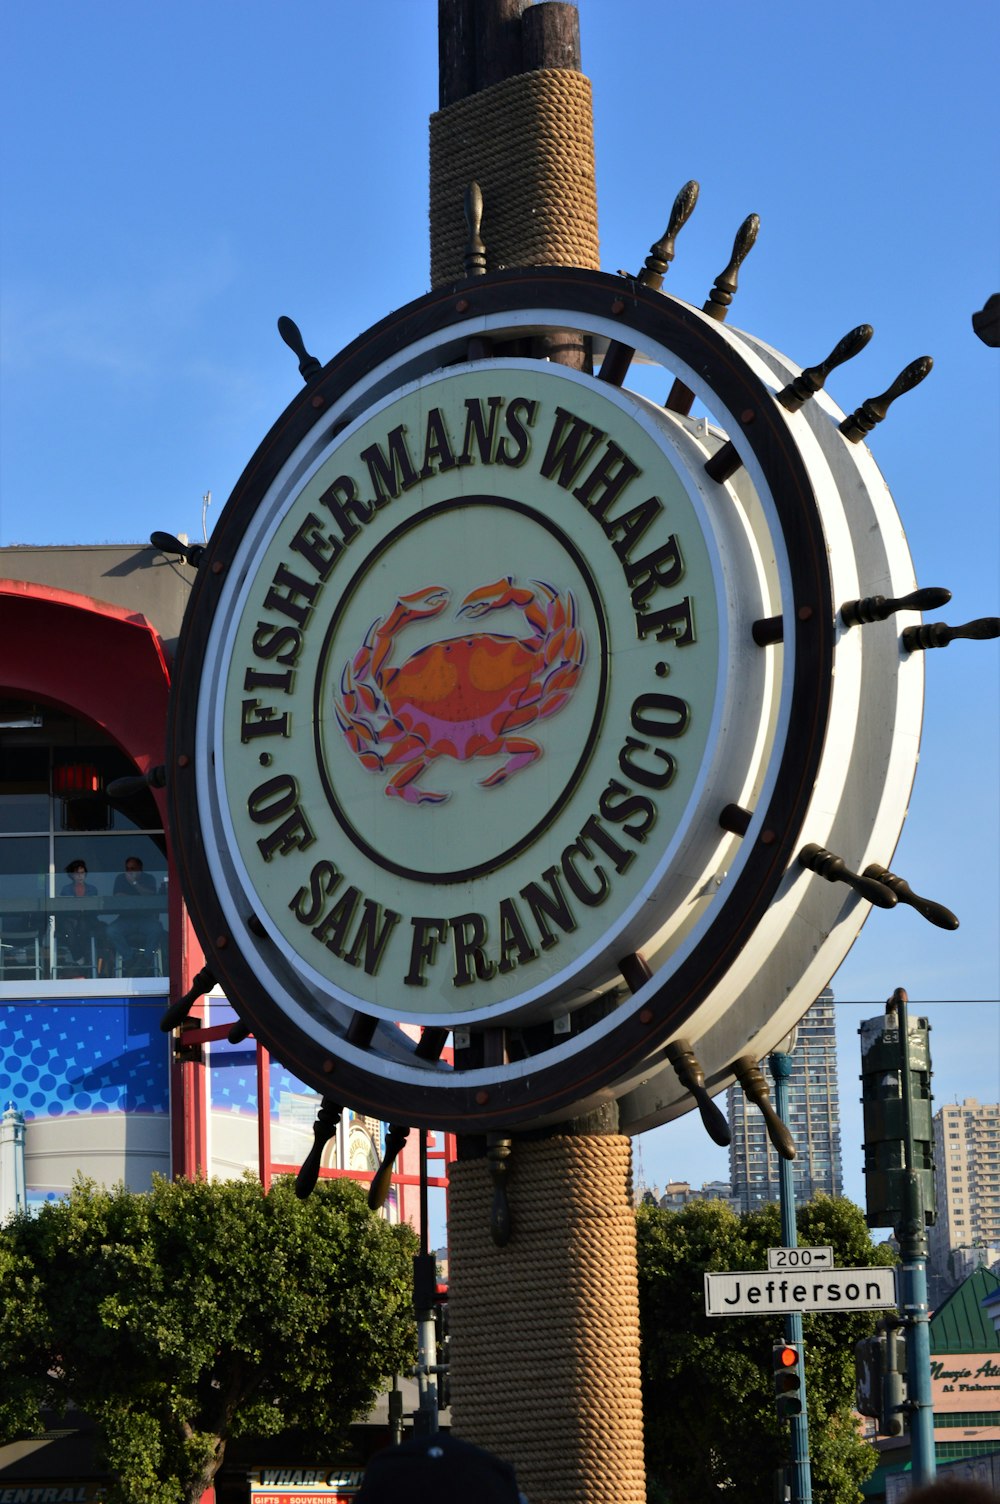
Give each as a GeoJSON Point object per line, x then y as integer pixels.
{"type": "Point", "coordinates": [883, 1066]}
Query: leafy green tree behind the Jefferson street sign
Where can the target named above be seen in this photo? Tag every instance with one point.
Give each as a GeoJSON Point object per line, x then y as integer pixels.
{"type": "Point", "coordinates": [712, 1428]}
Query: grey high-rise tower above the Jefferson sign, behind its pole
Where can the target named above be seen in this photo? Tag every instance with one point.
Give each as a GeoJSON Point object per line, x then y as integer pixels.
{"type": "Point", "coordinates": [814, 1117]}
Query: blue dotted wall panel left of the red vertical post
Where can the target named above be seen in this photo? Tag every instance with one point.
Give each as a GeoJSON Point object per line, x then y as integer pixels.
{"type": "Point", "coordinates": [71, 1058]}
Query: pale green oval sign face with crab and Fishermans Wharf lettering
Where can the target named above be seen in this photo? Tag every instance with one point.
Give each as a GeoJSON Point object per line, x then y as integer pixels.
{"type": "Point", "coordinates": [473, 684]}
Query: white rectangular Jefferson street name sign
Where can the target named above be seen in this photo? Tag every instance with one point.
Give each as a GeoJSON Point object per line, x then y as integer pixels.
{"type": "Point", "coordinates": [753, 1293]}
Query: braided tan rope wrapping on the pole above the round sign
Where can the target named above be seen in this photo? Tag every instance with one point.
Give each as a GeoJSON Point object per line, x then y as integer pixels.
{"type": "Point", "coordinates": [530, 145]}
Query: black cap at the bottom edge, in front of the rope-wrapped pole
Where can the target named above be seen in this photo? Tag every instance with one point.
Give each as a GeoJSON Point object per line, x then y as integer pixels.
{"type": "Point", "coordinates": [438, 1470]}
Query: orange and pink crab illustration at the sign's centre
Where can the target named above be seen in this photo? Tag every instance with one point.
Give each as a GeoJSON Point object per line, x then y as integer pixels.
{"type": "Point", "coordinates": [462, 697]}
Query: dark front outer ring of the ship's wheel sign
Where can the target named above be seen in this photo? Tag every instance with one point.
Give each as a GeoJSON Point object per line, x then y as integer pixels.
{"type": "Point", "coordinates": [578, 297]}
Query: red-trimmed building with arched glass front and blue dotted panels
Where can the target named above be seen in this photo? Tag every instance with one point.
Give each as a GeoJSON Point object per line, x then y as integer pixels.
{"type": "Point", "coordinates": [94, 935]}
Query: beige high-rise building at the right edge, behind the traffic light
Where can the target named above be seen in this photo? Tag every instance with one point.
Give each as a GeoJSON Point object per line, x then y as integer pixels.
{"type": "Point", "coordinates": [968, 1184]}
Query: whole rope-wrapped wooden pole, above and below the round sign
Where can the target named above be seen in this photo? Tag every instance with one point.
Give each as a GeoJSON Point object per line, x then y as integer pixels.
{"type": "Point", "coordinates": [545, 1327]}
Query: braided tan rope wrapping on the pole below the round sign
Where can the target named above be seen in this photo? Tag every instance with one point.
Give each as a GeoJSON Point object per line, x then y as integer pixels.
{"type": "Point", "coordinates": [545, 1333]}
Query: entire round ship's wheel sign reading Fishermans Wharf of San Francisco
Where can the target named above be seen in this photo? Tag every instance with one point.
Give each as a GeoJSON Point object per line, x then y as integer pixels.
{"type": "Point", "coordinates": [500, 721]}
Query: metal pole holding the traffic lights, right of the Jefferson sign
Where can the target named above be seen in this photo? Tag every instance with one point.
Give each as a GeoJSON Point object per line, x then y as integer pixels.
{"type": "Point", "coordinates": [914, 1281]}
